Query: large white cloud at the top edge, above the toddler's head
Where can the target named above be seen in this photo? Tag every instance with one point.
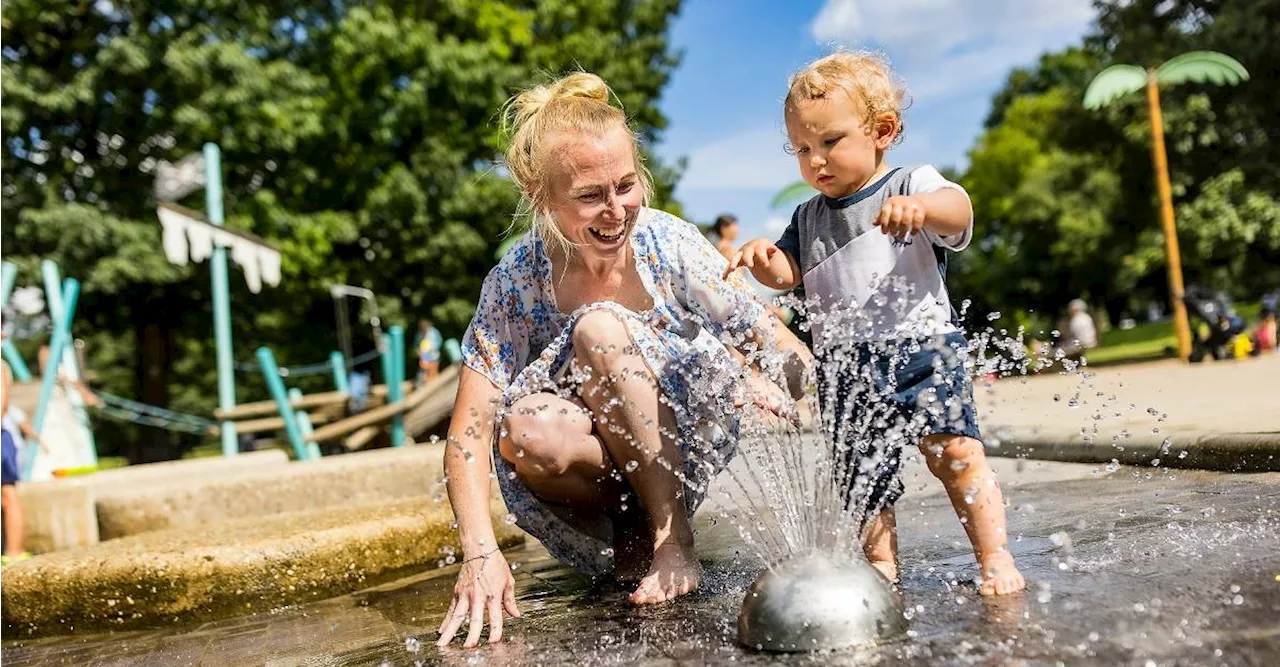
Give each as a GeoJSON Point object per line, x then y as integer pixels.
{"type": "Point", "coordinates": [949, 48]}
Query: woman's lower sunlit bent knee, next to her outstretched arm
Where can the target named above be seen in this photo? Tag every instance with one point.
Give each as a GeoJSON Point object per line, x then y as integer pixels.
{"type": "Point", "coordinates": [536, 436]}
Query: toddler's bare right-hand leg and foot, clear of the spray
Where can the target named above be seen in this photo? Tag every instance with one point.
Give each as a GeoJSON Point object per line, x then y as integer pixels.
{"type": "Point", "coordinates": [961, 464]}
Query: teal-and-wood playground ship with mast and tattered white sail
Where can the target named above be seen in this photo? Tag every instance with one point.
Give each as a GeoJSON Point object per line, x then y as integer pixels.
{"type": "Point", "coordinates": [60, 400]}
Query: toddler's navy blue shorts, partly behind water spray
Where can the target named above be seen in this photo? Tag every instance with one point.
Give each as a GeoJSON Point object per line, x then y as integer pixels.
{"type": "Point", "coordinates": [880, 398]}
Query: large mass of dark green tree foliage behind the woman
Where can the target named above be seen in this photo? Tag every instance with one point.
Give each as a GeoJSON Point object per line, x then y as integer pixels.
{"type": "Point", "coordinates": [360, 138]}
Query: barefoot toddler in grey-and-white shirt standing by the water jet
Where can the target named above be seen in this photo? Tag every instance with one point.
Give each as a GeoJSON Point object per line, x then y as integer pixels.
{"type": "Point", "coordinates": [843, 113]}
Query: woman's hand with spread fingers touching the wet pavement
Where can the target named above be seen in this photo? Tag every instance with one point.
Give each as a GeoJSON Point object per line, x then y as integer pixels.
{"type": "Point", "coordinates": [484, 586]}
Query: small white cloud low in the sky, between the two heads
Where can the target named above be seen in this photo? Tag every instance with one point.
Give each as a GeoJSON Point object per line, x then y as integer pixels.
{"type": "Point", "coordinates": [749, 161]}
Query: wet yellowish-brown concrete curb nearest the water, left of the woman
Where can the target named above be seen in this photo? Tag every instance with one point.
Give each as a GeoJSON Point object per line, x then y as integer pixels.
{"type": "Point", "coordinates": [202, 574]}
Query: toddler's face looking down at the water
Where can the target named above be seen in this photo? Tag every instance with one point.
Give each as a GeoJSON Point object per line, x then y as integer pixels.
{"type": "Point", "coordinates": [834, 145]}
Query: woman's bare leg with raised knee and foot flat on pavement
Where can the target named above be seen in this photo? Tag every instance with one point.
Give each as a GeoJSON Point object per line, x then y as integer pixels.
{"type": "Point", "coordinates": [637, 431]}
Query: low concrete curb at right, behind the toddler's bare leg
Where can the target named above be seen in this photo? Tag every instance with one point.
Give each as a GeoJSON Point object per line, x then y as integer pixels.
{"type": "Point", "coordinates": [1224, 453]}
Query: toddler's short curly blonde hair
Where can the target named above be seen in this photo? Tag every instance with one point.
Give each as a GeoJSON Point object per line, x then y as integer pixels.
{"type": "Point", "coordinates": [865, 76]}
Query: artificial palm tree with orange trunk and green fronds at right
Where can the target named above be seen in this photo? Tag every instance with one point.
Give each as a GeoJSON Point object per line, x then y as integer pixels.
{"type": "Point", "coordinates": [1118, 81]}
